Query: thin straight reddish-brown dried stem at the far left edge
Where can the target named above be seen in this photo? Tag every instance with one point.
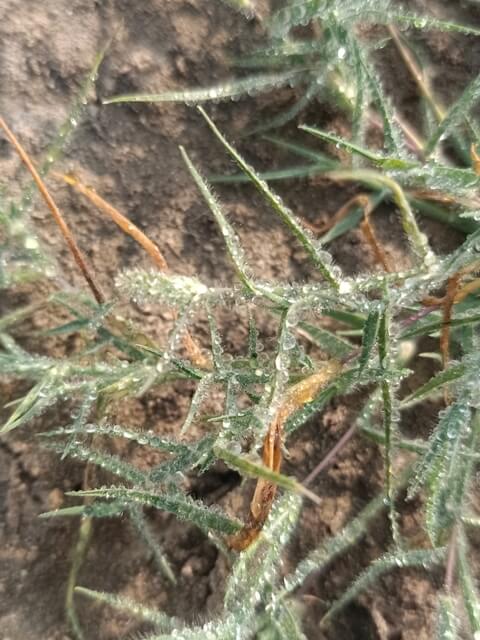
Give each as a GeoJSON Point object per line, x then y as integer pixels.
{"type": "Point", "coordinates": [60, 221]}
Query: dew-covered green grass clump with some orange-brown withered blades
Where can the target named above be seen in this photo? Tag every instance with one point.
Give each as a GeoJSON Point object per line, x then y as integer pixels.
{"type": "Point", "coordinates": [385, 310]}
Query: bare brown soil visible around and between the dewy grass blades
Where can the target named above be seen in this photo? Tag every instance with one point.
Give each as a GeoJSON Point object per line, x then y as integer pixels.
{"type": "Point", "coordinates": [129, 154]}
